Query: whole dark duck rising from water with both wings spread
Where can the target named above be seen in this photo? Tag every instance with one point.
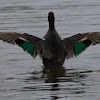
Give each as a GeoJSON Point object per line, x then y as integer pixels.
{"type": "Point", "coordinates": [52, 48]}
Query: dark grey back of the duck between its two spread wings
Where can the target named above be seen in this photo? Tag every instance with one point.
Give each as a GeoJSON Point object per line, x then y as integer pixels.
{"type": "Point", "coordinates": [55, 47]}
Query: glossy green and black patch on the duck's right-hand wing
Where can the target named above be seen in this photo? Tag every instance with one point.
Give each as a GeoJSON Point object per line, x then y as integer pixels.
{"type": "Point", "coordinates": [81, 46]}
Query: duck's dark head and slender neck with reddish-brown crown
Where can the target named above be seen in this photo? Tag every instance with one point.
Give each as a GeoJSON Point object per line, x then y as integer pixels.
{"type": "Point", "coordinates": [51, 20]}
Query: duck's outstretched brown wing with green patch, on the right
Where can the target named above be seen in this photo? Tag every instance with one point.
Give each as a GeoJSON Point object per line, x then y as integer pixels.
{"type": "Point", "coordinates": [78, 43]}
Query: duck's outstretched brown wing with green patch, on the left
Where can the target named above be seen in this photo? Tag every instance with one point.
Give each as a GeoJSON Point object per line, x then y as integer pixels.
{"type": "Point", "coordinates": [29, 43]}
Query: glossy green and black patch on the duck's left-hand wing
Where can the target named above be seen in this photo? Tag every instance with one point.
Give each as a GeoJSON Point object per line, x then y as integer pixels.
{"type": "Point", "coordinates": [25, 45]}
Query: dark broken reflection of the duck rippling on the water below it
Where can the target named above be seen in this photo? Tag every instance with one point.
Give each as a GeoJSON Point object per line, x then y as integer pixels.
{"type": "Point", "coordinates": [59, 79]}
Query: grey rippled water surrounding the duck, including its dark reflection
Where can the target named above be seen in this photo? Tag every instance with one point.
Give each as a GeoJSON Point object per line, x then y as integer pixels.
{"type": "Point", "coordinates": [22, 78]}
